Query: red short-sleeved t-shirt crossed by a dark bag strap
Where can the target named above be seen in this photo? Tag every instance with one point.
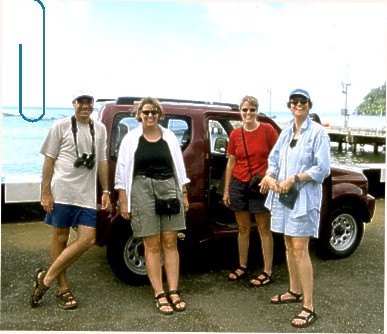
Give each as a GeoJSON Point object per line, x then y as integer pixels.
{"type": "Point", "coordinates": [259, 144]}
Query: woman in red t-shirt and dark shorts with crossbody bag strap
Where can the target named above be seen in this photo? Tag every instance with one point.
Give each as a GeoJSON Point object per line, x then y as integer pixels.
{"type": "Point", "coordinates": [248, 150]}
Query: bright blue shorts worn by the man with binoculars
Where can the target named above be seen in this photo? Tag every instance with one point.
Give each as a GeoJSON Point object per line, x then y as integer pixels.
{"type": "Point", "coordinates": [65, 215]}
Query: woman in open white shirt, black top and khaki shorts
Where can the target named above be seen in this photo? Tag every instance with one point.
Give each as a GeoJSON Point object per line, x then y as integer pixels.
{"type": "Point", "coordinates": [150, 165]}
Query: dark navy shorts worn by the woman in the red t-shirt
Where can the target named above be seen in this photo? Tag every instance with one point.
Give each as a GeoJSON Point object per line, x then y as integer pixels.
{"type": "Point", "coordinates": [242, 200]}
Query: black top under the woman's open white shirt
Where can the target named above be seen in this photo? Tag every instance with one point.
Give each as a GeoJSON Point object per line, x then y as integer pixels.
{"type": "Point", "coordinates": [153, 160]}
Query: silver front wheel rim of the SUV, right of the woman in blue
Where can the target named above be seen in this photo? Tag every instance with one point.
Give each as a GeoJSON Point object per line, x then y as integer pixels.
{"type": "Point", "coordinates": [344, 232]}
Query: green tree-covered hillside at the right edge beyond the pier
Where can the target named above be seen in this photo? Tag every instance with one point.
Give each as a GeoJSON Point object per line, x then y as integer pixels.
{"type": "Point", "coordinates": [374, 103]}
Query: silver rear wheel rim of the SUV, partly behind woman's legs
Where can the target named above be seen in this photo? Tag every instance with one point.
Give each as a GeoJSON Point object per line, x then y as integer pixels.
{"type": "Point", "coordinates": [134, 256]}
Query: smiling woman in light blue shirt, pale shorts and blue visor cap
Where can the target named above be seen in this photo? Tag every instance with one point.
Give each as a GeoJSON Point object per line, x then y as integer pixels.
{"type": "Point", "coordinates": [300, 159]}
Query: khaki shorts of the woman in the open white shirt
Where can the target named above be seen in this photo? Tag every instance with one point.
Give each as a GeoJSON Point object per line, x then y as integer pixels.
{"type": "Point", "coordinates": [145, 222]}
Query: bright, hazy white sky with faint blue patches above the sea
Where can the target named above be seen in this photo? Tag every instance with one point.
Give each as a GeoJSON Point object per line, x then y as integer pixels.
{"type": "Point", "coordinates": [213, 51]}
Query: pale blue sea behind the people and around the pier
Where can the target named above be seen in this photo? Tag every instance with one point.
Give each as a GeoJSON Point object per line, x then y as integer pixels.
{"type": "Point", "coordinates": [21, 140]}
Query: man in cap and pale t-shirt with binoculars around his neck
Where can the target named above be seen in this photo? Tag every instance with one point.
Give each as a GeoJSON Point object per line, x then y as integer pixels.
{"type": "Point", "coordinates": [75, 153]}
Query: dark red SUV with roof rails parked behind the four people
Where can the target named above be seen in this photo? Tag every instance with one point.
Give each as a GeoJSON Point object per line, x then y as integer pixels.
{"type": "Point", "coordinates": [203, 129]}
